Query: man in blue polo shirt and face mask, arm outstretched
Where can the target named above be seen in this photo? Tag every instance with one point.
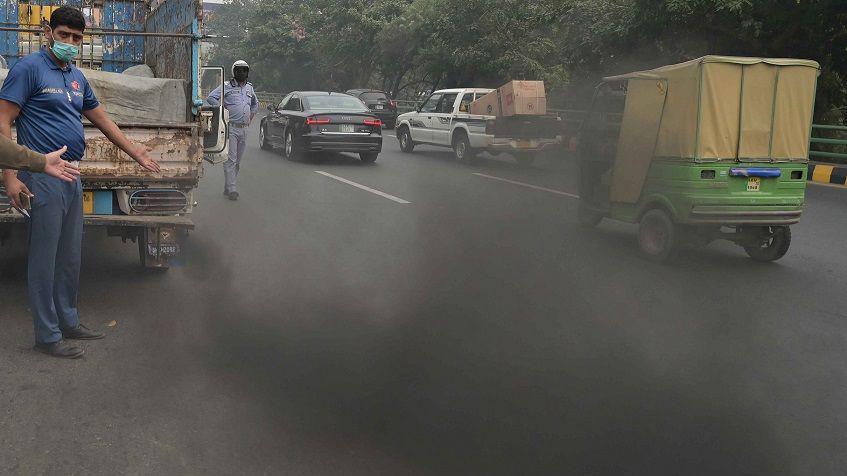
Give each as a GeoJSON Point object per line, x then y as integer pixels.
{"type": "Point", "coordinates": [46, 97]}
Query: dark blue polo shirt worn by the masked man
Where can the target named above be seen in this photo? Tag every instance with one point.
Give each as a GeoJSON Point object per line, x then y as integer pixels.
{"type": "Point", "coordinates": [51, 101]}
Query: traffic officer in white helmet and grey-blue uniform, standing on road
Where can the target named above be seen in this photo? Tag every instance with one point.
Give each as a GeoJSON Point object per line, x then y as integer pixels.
{"type": "Point", "coordinates": [239, 99]}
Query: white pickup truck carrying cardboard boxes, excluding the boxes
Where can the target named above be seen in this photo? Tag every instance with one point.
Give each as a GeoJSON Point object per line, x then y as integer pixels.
{"type": "Point", "coordinates": [443, 120]}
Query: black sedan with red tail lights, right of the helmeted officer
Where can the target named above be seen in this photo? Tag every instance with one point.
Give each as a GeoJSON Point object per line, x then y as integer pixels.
{"type": "Point", "coordinates": [313, 121]}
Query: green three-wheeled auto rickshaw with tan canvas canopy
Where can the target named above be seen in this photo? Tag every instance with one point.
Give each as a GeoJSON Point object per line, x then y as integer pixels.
{"type": "Point", "coordinates": [714, 148]}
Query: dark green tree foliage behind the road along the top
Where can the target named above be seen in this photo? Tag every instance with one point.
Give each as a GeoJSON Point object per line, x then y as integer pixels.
{"type": "Point", "coordinates": [407, 46]}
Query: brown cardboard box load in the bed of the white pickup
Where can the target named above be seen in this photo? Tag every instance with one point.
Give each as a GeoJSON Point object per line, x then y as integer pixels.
{"type": "Point", "coordinates": [515, 98]}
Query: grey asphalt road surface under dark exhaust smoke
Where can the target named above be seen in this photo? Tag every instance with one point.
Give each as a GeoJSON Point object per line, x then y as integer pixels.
{"type": "Point", "coordinates": [423, 316]}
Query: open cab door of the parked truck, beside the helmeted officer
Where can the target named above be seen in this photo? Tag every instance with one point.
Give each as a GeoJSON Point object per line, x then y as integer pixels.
{"type": "Point", "coordinates": [214, 119]}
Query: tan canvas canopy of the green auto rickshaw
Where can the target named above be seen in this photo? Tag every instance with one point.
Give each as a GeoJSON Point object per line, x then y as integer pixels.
{"type": "Point", "coordinates": [714, 108]}
